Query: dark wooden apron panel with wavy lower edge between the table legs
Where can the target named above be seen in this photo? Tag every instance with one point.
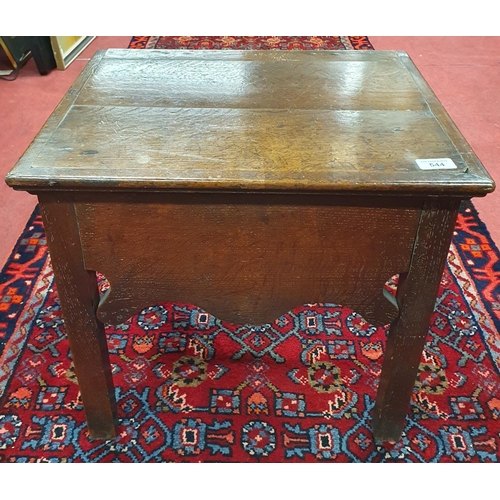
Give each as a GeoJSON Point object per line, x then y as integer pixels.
{"type": "Point", "coordinates": [247, 258]}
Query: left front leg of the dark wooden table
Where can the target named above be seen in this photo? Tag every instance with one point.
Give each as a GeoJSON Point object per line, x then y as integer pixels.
{"type": "Point", "coordinates": [79, 297]}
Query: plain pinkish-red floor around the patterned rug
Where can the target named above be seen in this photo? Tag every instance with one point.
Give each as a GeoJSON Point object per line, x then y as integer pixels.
{"type": "Point", "coordinates": [464, 72]}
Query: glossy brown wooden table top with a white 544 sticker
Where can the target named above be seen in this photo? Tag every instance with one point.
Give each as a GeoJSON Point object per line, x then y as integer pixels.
{"type": "Point", "coordinates": [304, 121]}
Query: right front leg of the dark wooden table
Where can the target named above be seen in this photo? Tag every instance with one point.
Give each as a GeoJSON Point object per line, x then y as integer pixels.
{"type": "Point", "coordinates": [416, 298]}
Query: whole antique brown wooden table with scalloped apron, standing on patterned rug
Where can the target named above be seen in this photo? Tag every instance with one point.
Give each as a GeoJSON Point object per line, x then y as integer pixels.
{"type": "Point", "coordinates": [248, 183]}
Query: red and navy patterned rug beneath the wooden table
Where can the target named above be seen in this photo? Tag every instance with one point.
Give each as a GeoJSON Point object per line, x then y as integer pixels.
{"type": "Point", "coordinates": [191, 388]}
